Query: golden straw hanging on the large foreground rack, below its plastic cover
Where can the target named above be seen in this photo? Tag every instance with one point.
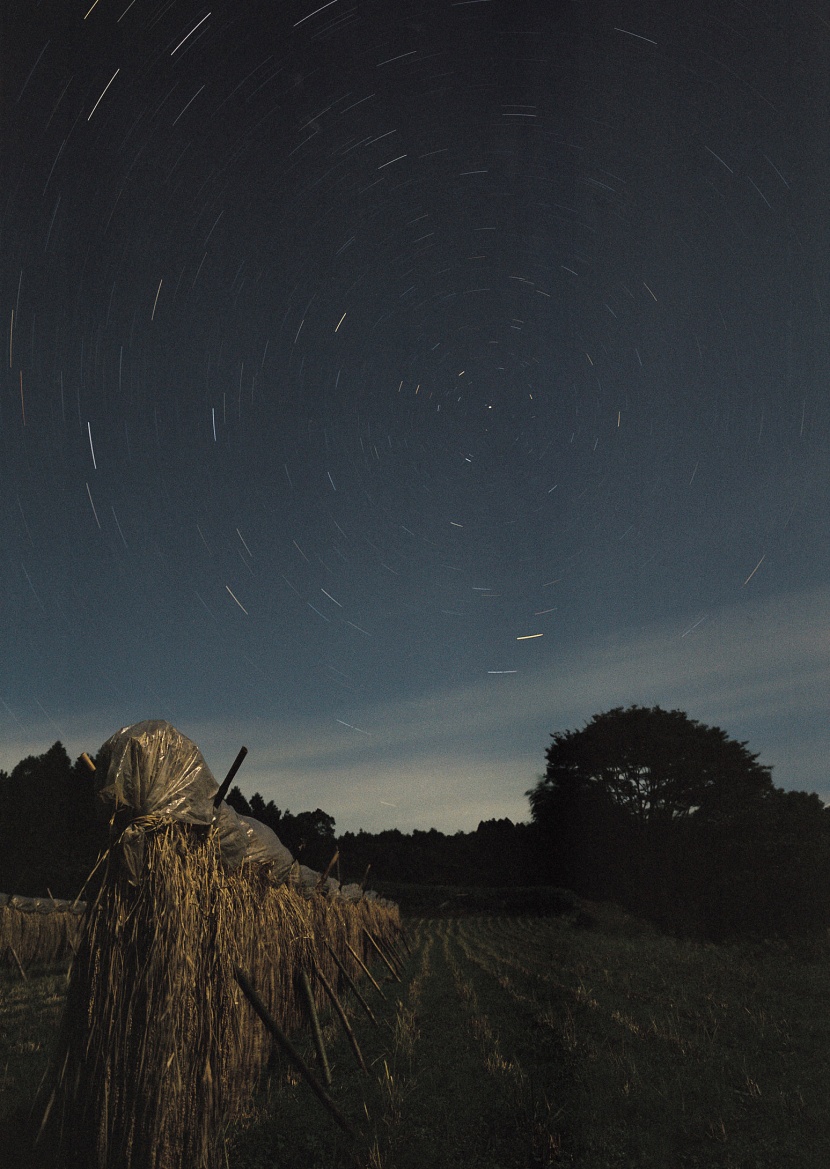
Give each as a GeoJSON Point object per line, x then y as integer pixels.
{"type": "Point", "coordinates": [158, 1048]}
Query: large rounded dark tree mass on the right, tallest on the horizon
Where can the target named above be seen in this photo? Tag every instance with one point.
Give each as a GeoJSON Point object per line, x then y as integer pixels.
{"type": "Point", "coordinates": [681, 824]}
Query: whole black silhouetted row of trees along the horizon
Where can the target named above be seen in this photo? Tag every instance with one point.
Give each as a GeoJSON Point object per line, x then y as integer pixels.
{"type": "Point", "coordinates": [644, 807]}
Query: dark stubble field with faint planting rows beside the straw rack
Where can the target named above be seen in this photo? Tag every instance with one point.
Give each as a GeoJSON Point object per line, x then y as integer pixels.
{"type": "Point", "coordinates": [525, 1041]}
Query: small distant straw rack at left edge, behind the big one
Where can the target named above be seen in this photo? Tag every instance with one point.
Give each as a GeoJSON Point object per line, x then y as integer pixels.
{"type": "Point", "coordinates": [38, 931]}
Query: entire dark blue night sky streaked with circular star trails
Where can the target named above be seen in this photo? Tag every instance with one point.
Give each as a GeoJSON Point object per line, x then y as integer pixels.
{"type": "Point", "coordinates": [389, 385]}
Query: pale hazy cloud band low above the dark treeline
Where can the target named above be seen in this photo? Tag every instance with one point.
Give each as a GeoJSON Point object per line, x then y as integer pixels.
{"type": "Point", "coordinates": [459, 756]}
